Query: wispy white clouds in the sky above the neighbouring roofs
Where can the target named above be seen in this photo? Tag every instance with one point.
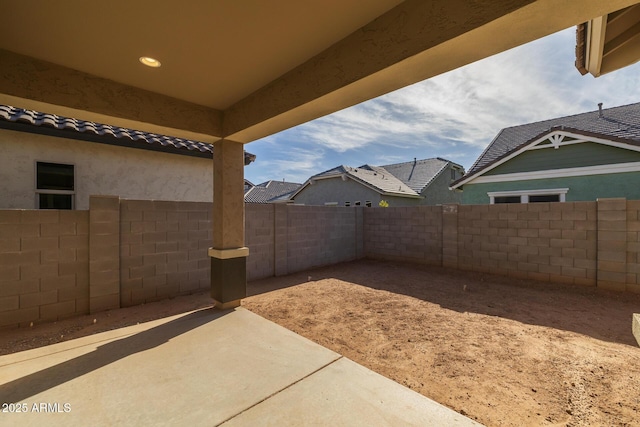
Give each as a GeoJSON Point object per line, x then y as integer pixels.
{"type": "Point", "coordinates": [534, 82]}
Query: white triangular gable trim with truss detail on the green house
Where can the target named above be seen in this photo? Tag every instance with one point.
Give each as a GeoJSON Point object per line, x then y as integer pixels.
{"type": "Point", "coordinates": [557, 139]}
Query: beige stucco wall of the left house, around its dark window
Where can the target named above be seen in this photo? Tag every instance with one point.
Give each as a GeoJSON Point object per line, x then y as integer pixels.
{"type": "Point", "coordinates": [100, 169]}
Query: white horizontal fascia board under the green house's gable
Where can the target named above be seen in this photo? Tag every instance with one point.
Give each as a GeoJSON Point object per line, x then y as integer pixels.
{"type": "Point", "coordinates": [561, 173]}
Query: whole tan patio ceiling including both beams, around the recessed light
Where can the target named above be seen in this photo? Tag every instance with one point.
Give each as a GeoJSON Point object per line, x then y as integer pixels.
{"type": "Point", "coordinates": [245, 69]}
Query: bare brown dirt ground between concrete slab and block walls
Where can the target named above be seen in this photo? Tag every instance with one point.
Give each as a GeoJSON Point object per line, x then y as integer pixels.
{"type": "Point", "coordinates": [504, 352]}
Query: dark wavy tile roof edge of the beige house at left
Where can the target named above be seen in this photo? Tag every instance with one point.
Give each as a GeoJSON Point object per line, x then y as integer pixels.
{"type": "Point", "coordinates": [34, 121]}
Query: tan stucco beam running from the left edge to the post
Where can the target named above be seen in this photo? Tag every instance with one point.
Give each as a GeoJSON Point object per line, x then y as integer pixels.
{"type": "Point", "coordinates": [30, 83]}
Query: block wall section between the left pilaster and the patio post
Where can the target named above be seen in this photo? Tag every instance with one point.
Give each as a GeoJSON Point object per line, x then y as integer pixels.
{"type": "Point", "coordinates": [163, 249]}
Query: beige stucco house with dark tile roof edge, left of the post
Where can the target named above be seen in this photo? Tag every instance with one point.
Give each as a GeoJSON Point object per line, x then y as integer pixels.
{"type": "Point", "coordinates": [53, 162]}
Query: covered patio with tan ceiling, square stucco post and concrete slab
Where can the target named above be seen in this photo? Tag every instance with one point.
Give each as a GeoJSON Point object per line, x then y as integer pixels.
{"type": "Point", "coordinates": [229, 73]}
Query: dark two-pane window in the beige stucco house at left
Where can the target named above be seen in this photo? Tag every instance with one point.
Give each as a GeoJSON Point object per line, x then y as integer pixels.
{"type": "Point", "coordinates": [55, 186]}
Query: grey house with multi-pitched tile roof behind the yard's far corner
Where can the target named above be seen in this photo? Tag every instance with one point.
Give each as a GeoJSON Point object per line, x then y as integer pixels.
{"type": "Point", "coordinates": [420, 182]}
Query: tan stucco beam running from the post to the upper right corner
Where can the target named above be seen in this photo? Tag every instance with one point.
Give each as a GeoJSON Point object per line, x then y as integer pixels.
{"type": "Point", "coordinates": [412, 42]}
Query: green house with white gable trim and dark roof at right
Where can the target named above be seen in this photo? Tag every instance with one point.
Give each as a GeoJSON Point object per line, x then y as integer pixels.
{"type": "Point", "coordinates": [576, 158]}
